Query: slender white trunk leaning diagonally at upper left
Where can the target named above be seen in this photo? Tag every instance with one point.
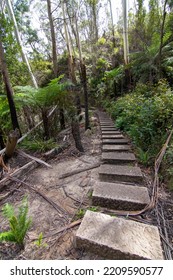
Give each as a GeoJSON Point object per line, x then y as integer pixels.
{"type": "Point", "coordinates": [24, 57]}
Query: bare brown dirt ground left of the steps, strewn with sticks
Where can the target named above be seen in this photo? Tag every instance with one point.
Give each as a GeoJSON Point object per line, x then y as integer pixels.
{"type": "Point", "coordinates": [70, 196]}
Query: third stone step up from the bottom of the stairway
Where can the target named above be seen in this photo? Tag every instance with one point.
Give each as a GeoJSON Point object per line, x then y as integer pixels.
{"type": "Point", "coordinates": [120, 173]}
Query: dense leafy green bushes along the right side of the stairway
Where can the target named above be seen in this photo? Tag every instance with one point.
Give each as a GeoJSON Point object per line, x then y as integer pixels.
{"type": "Point", "coordinates": [146, 115]}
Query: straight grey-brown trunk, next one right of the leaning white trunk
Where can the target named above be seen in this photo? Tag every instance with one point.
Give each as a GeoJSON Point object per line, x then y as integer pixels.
{"type": "Point", "coordinates": [53, 37]}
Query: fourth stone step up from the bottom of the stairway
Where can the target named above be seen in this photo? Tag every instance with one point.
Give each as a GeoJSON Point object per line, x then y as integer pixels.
{"type": "Point", "coordinates": [118, 158]}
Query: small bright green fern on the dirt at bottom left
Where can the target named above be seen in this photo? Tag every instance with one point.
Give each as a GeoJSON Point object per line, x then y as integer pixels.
{"type": "Point", "coordinates": [19, 224]}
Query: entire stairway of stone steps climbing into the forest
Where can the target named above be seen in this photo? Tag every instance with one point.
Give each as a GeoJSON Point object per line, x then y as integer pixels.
{"type": "Point", "coordinates": [120, 187]}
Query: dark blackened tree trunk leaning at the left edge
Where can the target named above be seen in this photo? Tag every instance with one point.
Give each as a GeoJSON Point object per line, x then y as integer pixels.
{"type": "Point", "coordinates": [8, 88]}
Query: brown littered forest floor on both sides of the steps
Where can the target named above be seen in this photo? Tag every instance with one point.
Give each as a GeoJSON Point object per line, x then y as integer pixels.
{"type": "Point", "coordinates": [65, 201]}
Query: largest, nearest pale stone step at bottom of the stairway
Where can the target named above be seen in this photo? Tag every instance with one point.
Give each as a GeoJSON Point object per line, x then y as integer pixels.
{"type": "Point", "coordinates": [118, 238]}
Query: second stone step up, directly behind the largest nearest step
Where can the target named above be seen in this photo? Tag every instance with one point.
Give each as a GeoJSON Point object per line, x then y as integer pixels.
{"type": "Point", "coordinates": [120, 196]}
